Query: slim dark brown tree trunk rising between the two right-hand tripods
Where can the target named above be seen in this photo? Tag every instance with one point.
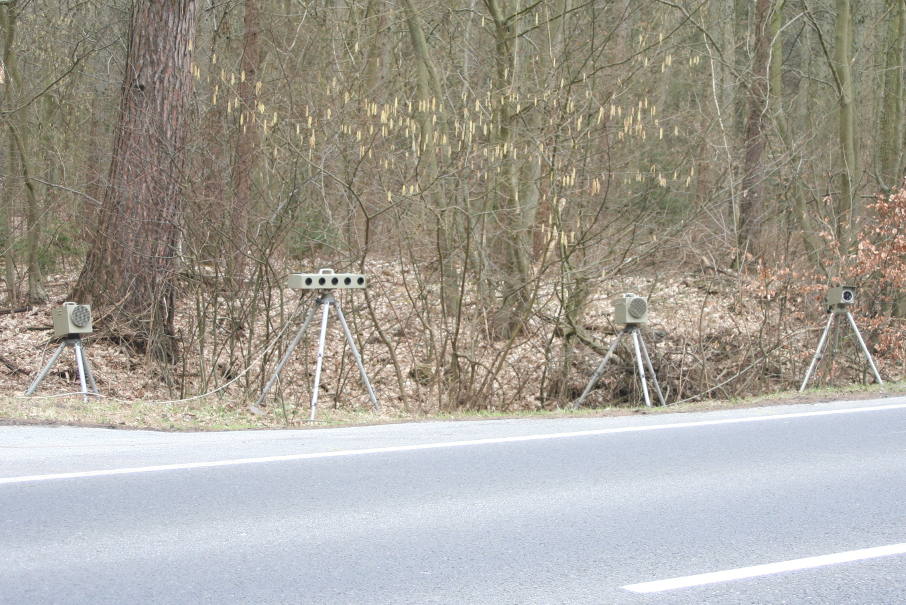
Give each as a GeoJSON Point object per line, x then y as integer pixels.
{"type": "Point", "coordinates": [751, 210]}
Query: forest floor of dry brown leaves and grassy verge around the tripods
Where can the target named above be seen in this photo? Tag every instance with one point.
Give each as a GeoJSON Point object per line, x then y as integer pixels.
{"type": "Point", "coordinates": [722, 349]}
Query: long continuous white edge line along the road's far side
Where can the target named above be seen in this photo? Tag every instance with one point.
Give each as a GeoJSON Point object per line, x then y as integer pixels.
{"type": "Point", "coordinates": [441, 445]}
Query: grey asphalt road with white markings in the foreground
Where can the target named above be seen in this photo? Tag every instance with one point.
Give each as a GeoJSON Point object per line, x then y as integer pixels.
{"type": "Point", "coordinates": [795, 504]}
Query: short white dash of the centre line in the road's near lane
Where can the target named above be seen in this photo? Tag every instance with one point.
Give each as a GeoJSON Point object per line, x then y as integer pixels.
{"type": "Point", "coordinates": [768, 569]}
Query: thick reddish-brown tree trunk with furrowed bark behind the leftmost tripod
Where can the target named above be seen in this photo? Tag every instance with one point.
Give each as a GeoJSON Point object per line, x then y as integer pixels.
{"type": "Point", "coordinates": [132, 262]}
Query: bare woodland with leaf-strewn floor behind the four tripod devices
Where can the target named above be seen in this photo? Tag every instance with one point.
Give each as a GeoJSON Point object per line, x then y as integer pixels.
{"type": "Point", "coordinates": [501, 169]}
